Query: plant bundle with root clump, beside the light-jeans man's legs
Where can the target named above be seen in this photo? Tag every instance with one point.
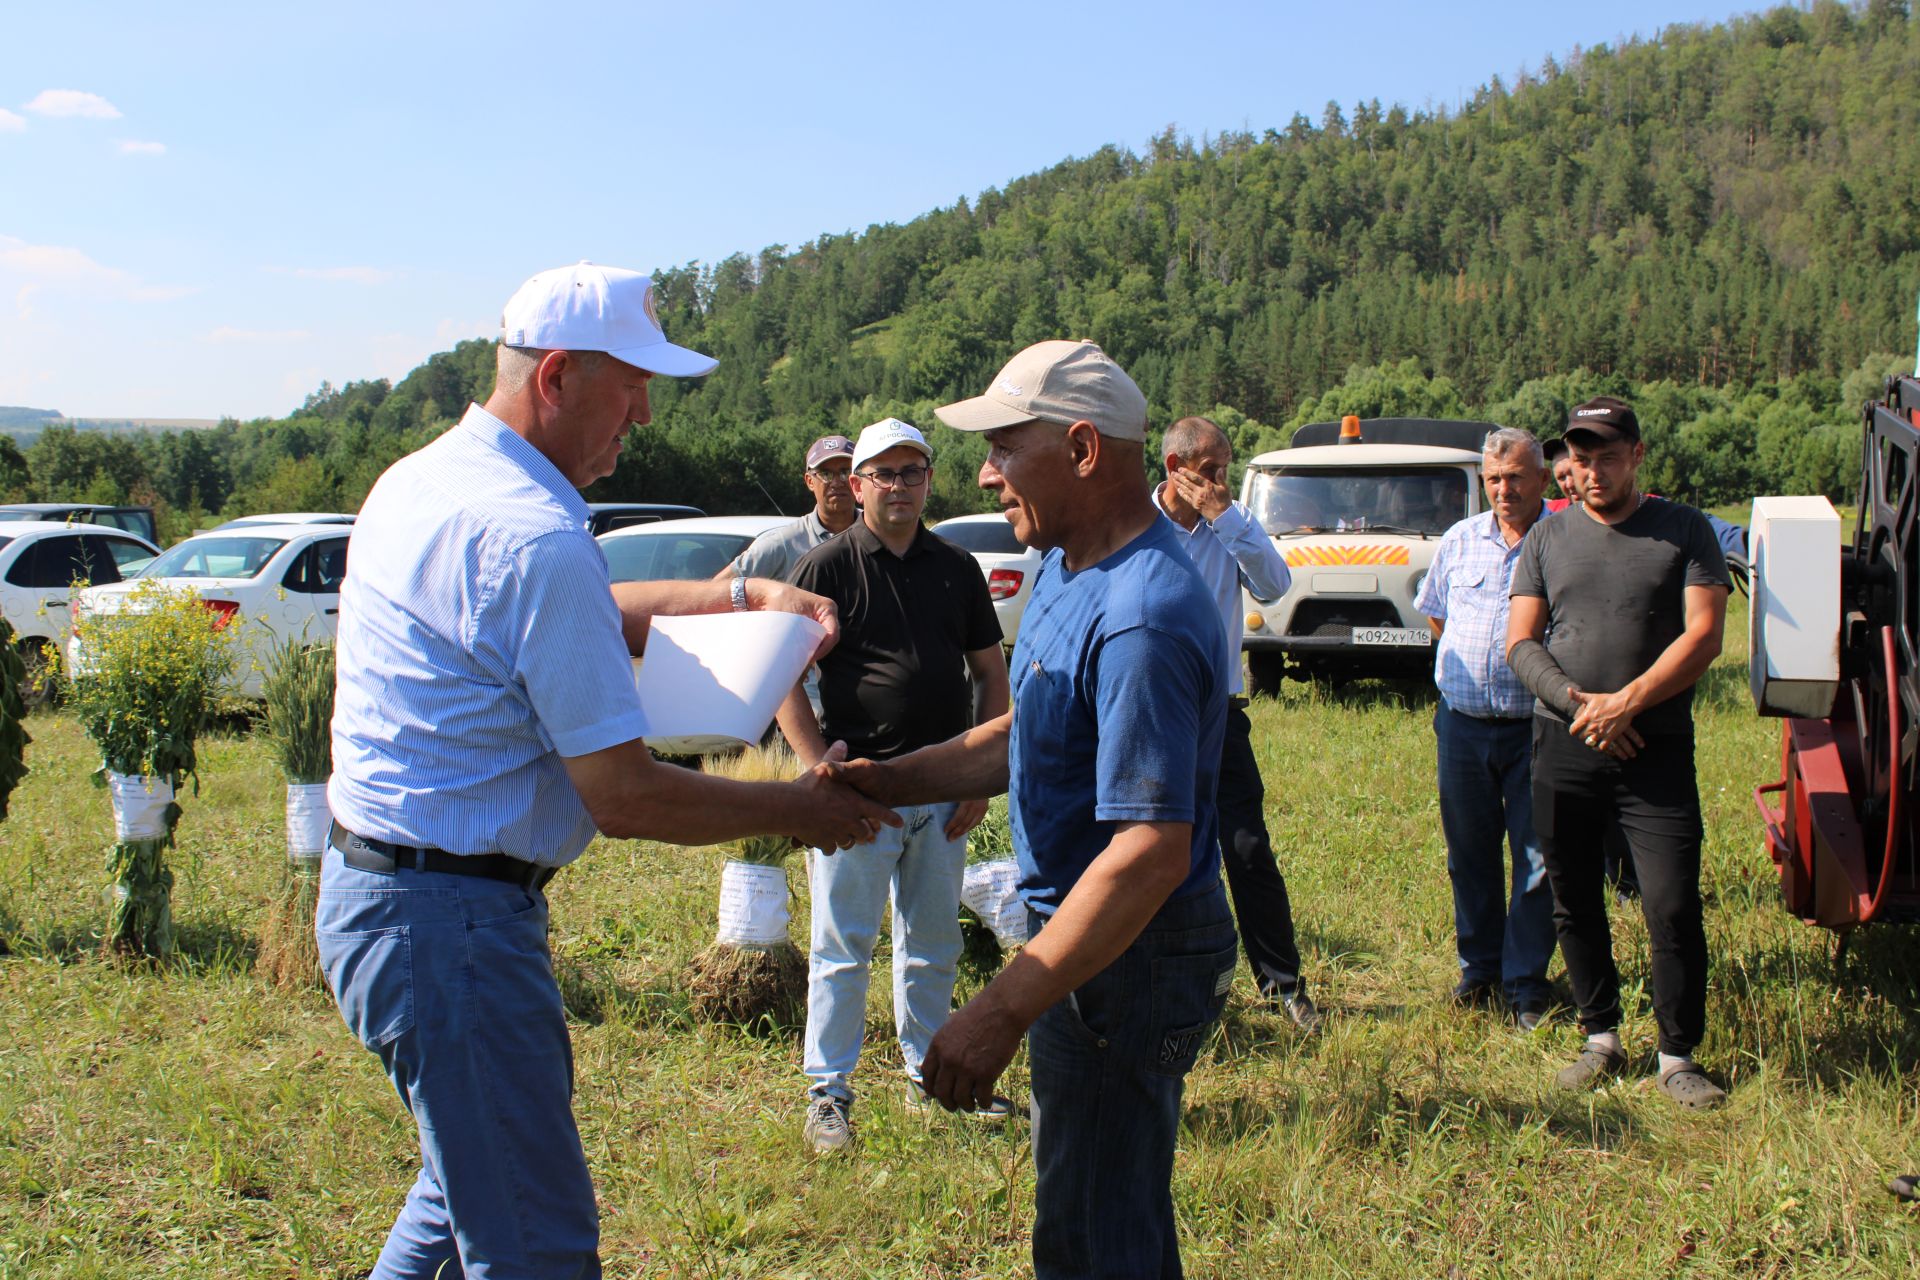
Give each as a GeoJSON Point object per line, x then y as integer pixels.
{"type": "Point", "coordinates": [754, 974]}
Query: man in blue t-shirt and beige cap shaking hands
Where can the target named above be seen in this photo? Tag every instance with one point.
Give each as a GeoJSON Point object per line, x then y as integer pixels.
{"type": "Point", "coordinates": [1113, 747]}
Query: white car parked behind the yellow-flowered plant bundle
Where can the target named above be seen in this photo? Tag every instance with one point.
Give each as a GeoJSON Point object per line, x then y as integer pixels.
{"type": "Point", "coordinates": [276, 582]}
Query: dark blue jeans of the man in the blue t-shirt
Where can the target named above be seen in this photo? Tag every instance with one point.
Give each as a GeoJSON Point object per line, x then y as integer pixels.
{"type": "Point", "coordinates": [1109, 1066]}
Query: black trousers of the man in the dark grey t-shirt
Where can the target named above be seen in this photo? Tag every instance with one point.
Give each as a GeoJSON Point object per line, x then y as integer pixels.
{"type": "Point", "coordinates": [1656, 799]}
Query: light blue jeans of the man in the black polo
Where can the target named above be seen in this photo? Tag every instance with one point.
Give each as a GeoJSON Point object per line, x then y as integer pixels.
{"type": "Point", "coordinates": [923, 868]}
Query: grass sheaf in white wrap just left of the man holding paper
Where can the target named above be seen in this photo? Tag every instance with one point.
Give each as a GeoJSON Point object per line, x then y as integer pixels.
{"type": "Point", "coordinates": [300, 709]}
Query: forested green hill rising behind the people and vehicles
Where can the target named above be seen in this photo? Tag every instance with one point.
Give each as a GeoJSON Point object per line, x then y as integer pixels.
{"type": "Point", "coordinates": [1723, 222]}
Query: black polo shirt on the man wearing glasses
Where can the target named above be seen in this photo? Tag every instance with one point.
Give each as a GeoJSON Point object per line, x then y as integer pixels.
{"type": "Point", "coordinates": [898, 678]}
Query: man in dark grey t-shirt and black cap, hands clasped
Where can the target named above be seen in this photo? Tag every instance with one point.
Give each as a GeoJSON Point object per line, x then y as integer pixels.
{"type": "Point", "coordinates": [1633, 592]}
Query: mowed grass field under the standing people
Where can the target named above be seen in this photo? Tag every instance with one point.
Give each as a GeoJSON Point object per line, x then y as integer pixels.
{"type": "Point", "coordinates": [199, 1124]}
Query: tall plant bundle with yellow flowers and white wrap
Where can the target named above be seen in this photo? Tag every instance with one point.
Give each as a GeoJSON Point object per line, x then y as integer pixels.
{"type": "Point", "coordinates": [151, 675]}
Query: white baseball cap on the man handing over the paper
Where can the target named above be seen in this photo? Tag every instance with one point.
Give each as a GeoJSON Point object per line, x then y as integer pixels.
{"type": "Point", "coordinates": [590, 308]}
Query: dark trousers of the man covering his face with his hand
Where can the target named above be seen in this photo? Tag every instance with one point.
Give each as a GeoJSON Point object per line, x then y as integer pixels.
{"type": "Point", "coordinates": [1260, 907]}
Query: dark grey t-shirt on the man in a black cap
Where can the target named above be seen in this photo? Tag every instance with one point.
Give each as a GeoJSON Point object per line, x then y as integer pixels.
{"type": "Point", "coordinates": [1618, 596]}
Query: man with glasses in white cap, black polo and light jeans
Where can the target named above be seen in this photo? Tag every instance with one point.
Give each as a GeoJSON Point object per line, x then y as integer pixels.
{"type": "Point", "coordinates": [917, 621]}
